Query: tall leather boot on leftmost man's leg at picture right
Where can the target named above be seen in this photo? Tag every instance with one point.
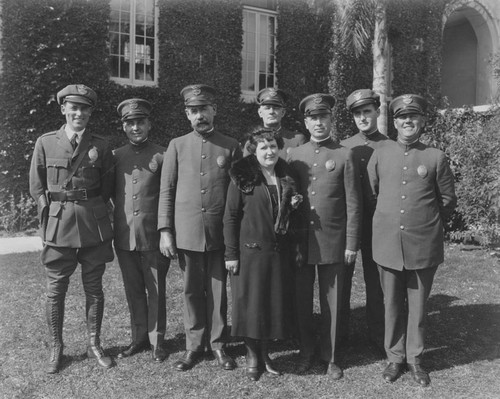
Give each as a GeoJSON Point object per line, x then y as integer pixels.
{"type": "Point", "coordinates": [95, 311]}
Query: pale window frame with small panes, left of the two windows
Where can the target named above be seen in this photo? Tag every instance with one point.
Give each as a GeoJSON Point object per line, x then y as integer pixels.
{"type": "Point", "coordinates": [132, 81]}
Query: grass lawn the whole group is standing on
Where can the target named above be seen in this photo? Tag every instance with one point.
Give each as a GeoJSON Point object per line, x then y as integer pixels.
{"type": "Point", "coordinates": [463, 344]}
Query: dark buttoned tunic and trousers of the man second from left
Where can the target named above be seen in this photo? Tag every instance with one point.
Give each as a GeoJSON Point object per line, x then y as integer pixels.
{"type": "Point", "coordinates": [144, 268]}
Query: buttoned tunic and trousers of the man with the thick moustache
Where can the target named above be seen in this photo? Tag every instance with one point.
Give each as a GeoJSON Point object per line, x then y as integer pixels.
{"type": "Point", "coordinates": [194, 181]}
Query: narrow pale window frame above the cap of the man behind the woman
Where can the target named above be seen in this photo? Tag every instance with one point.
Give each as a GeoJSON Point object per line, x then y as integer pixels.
{"type": "Point", "coordinates": [249, 95]}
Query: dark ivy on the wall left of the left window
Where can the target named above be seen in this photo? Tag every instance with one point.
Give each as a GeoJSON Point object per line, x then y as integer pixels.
{"type": "Point", "coordinates": [46, 44]}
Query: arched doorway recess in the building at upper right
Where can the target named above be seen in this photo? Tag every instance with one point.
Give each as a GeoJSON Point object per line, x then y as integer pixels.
{"type": "Point", "coordinates": [467, 48]}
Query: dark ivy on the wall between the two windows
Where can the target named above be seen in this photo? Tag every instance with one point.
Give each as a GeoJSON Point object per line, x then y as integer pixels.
{"type": "Point", "coordinates": [200, 42]}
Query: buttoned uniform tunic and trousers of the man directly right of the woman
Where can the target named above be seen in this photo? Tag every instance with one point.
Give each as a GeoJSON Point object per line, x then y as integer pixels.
{"type": "Point", "coordinates": [329, 181]}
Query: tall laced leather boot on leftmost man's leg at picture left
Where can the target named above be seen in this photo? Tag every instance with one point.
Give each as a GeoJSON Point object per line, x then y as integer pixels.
{"type": "Point", "coordinates": [54, 312]}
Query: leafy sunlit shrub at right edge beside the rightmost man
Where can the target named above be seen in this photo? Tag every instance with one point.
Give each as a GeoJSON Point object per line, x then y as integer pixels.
{"type": "Point", "coordinates": [472, 143]}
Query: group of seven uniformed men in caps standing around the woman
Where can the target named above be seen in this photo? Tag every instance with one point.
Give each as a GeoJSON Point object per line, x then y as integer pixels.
{"type": "Point", "coordinates": [387, 198]}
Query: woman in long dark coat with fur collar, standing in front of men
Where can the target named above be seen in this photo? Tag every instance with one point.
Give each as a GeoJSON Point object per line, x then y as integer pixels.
{"type": "Point", "coordinates": [258, 206]}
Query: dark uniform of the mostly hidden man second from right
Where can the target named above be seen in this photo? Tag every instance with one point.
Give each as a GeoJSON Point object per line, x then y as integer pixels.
{"type": "Point", "coordinates": [362, 146]}
